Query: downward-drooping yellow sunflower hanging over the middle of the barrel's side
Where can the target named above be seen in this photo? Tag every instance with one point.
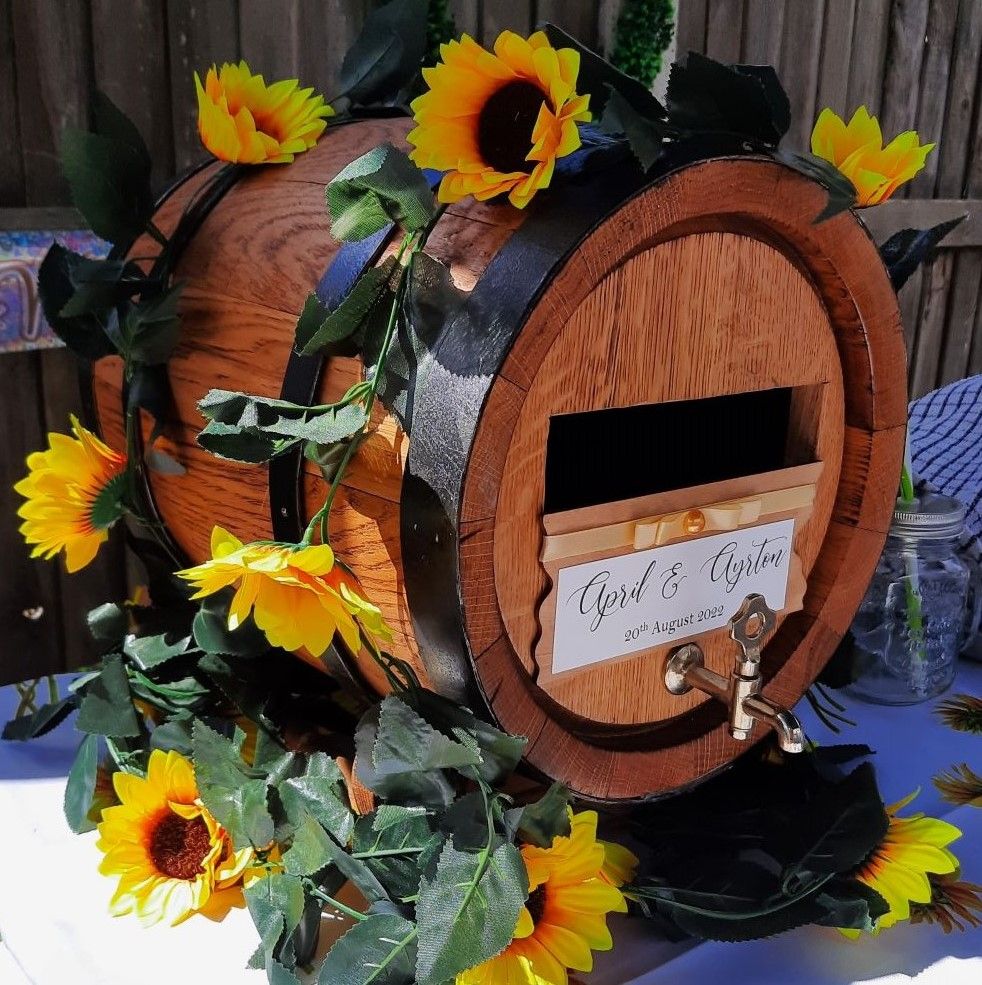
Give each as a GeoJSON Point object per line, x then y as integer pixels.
{"type": "Point", "coordinates": [298, 596]}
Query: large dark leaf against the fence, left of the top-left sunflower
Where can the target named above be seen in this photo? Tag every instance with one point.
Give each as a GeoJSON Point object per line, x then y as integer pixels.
{"type": "Point", "coordinates": [110, 185]}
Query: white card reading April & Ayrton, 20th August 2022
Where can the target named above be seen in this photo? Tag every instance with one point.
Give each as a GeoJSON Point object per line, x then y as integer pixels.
{"type": "Point", "coordinates": [632, 602]}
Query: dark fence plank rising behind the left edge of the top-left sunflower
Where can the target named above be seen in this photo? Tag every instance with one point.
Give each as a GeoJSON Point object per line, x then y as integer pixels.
{"type": "Point", "coordinates": [200, 33]}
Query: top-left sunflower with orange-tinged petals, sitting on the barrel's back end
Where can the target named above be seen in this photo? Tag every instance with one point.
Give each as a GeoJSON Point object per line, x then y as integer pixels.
{"type": "Point", "coordinates": [242, 119]}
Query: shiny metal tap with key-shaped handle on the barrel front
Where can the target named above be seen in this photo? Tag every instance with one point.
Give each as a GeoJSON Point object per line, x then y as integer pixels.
{"type": "Point", "coordinates": [686, 669]}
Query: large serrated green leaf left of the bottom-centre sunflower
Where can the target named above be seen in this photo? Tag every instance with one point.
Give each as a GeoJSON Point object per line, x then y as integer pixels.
{"type": "Point", "coordinates": [467, 912]}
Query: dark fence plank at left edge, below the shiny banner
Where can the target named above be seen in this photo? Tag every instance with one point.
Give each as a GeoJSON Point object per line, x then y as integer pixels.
{"type": "Point", "coordinates": [32, 642]}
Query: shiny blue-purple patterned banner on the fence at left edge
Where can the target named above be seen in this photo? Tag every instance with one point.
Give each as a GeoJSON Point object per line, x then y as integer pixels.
{"type": "Point", "coordinates": [22, 324]}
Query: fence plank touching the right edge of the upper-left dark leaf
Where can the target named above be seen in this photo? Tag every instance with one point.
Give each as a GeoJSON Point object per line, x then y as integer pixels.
{"type": "Point", "coordinates": [130, 67]}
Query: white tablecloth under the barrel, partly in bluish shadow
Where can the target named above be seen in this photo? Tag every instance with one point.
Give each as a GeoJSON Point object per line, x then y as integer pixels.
{"type": "Point", "coordinates": [56, 931]}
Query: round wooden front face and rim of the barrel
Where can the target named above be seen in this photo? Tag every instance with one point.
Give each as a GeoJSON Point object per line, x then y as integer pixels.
{"type": "Point", "coordinates": [714, 281]}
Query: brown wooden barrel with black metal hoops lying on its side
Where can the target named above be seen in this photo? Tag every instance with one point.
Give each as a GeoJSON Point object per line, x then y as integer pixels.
{"type": "Point", "coordinates": [625, 344]}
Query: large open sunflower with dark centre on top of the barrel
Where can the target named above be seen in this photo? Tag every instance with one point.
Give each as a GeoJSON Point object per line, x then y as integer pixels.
{"type": "Point", "coordinates": [496, 123]}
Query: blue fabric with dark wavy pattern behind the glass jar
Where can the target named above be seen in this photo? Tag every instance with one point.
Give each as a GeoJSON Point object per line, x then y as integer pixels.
{"type": "Point", "coordinates": [946, 446]}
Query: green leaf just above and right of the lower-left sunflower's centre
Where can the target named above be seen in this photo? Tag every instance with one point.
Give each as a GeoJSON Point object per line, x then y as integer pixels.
{"type": "Point", "coordinates": [235, 798]}
